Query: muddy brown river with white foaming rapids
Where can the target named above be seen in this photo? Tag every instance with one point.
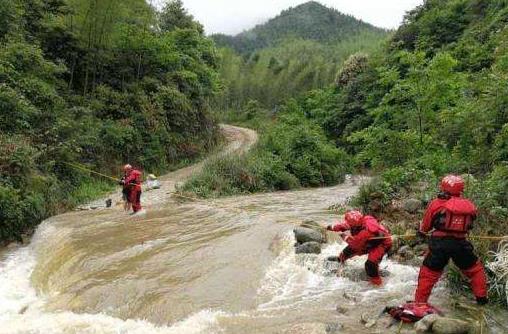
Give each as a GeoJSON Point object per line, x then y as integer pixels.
{"type": "Point", "coordinates": [212, 266]}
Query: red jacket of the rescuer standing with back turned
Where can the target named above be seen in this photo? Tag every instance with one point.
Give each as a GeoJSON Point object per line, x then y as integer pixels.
{"type": "Point", "coordinates": [438, 207]}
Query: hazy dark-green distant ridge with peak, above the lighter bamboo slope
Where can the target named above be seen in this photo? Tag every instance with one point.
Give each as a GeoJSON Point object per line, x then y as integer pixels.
{"type": "Point", "coordinates": [310, 21]}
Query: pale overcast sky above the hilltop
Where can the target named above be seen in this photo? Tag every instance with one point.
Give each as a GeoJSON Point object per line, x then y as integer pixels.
{"type": "Point", "coordinates": [234, 16]}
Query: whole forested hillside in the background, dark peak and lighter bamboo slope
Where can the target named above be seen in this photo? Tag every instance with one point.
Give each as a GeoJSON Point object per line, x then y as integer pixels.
{"type": "Point", "coordinates": [299, 50]}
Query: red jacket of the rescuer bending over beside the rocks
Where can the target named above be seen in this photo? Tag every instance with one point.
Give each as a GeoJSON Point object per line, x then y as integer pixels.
{"type": "Point", "coordinates": [361, 236]}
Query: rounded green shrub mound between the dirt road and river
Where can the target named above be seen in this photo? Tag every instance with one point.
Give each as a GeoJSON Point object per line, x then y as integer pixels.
{"type": "Point", "coordinates": [292, 153]}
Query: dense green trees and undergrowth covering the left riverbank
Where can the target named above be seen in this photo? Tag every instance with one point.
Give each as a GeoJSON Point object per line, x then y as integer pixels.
{"type": "Point", "coordinates": [98, 83]}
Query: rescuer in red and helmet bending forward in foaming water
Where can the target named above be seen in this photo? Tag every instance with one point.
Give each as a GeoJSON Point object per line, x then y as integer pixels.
{"type": "Point", "coordinates": [358, 230]}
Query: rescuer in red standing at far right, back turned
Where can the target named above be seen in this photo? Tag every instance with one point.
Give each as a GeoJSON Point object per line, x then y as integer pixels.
{"type": "Point", "coordinates": [450, 217]}
